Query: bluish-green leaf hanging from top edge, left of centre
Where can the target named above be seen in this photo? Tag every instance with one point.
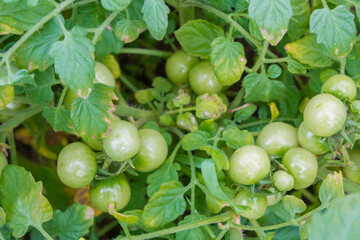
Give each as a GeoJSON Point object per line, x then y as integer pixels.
{"type": "Point", "coordinates": [156, 17]}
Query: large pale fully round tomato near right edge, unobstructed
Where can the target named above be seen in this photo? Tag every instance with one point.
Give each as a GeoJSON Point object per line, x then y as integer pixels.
{"type": "Point", "coordinates": [324, 115]}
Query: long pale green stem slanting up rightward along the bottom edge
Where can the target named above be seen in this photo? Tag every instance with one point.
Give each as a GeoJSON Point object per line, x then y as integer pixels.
{"type": "Point", "coordinates": [211, 220]}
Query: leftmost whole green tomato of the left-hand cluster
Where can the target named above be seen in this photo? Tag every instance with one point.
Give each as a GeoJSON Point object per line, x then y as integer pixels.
{"type": "Point", "coordinates": [76, 166]}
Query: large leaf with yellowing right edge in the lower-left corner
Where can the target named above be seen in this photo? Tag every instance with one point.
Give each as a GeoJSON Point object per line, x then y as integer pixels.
{"type": "Point", "coordinates": [22, 200]}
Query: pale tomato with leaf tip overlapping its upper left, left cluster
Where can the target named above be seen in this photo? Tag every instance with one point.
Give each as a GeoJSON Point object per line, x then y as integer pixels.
{"type": "Point", "coordinates": [123, 141]}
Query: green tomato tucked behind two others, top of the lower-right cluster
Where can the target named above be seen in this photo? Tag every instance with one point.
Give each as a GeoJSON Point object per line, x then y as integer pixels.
{"type": "Point", "coordinates": [277, 138]}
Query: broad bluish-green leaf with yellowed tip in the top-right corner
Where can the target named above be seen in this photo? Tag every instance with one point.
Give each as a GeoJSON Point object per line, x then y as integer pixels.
{"type": "Point", "coordinates": [335, 29]}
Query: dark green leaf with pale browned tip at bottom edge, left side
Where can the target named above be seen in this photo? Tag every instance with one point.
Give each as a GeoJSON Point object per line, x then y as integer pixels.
{"type": "Point", "coordinates": [71, 224]}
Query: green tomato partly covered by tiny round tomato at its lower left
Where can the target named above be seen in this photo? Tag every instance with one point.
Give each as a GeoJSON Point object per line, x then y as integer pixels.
{"type": "Point", "coordinates": [302, 165]}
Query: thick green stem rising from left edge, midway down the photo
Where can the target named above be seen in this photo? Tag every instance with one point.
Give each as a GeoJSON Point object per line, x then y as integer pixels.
{"type": "Point", "coordinates": [20, 117]}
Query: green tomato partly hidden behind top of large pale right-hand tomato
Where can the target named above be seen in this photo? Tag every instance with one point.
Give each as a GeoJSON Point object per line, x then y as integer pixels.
{"type": "Point", "coordinates": [341, 86]}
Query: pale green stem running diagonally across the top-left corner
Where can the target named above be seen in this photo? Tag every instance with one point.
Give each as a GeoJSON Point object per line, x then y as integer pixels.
{"type": "Point", "coordinates": [35, 28]}
